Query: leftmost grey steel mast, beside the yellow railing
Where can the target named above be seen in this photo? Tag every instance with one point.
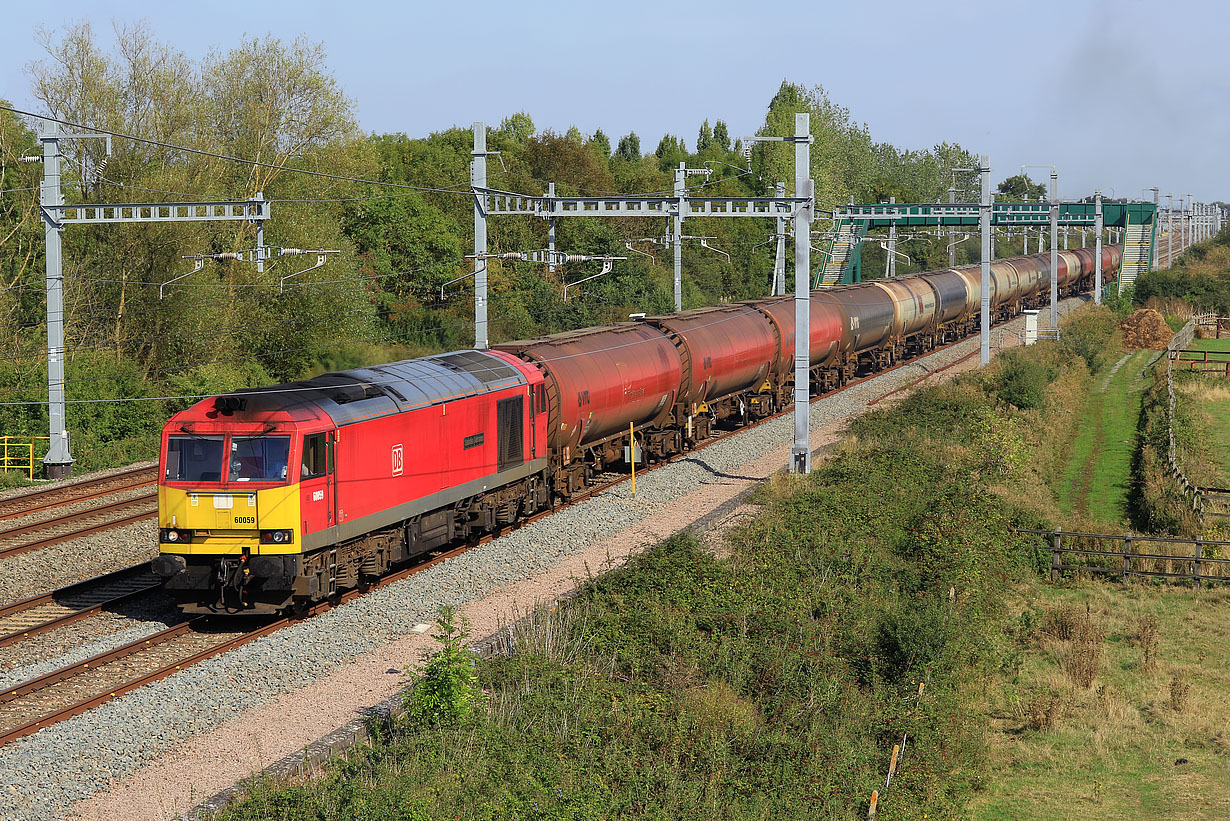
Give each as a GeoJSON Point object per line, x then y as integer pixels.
{"type": "Point", "coordinates": [58, 462]}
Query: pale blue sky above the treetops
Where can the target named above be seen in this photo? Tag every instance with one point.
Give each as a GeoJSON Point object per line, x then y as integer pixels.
{"type": "Point", "coordinates": [1120, 95]}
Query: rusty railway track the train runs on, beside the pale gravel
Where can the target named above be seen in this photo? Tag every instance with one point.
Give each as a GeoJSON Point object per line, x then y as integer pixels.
{"type": "Point", "coordinates": [42, 702]}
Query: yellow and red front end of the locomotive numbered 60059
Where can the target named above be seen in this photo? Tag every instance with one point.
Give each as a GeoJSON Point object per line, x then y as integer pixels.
{"type": "Point", "coordinates": [229, 537]}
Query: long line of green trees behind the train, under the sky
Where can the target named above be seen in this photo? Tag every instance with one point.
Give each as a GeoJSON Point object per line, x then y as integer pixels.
{"type": "Point", "coordinates": [397, 209]}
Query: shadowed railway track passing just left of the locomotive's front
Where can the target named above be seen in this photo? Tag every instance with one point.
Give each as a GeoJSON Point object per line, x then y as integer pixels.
{"type": "Point", "coordinates": [73, 604]}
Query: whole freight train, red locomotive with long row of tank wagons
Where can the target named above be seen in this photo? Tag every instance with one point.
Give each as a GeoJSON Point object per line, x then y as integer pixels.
{"type": "Point", "coordinates": [274, 499]}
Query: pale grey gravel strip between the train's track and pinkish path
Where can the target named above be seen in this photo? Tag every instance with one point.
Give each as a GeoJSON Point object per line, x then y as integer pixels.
{"type": "Point", "coordinates": [40, 779]}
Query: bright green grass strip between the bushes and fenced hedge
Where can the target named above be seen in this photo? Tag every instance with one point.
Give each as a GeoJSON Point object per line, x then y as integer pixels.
{"type": "Point", "coordinates": [1098, 475]}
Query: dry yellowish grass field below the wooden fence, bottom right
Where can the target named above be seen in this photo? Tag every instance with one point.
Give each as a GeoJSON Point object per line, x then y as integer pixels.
{"type": "Point", "coordinates": [1145, 740]}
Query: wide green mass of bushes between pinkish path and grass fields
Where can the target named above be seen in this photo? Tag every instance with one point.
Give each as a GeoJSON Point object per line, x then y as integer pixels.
{"type": "Point", "coordinates": [776, 680]}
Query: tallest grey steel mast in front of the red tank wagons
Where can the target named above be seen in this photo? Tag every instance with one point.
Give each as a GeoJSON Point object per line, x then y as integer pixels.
{"type": "Point", "coordinates": [801, 454]}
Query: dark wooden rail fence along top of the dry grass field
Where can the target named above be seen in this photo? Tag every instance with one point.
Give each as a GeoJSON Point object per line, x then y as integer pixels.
{"type": "Point", "coordinates": [1129, 561]}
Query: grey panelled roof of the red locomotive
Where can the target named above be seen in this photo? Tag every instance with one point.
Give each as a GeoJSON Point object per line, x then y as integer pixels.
{"type": "Point", "coordinates": [361, 394]}
